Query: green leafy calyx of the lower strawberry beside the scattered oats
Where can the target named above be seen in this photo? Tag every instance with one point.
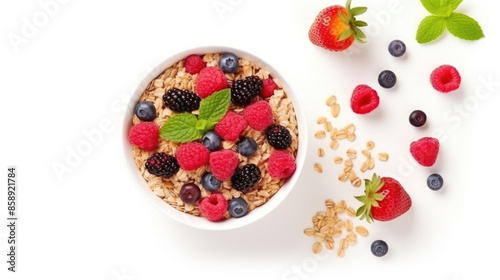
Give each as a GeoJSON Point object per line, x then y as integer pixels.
{"type": "Point", "coordinates": [370, 198]}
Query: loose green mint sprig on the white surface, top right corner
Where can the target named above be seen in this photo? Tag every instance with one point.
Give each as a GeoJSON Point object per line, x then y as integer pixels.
{"type": "Point", "coordinates": [444, 17]}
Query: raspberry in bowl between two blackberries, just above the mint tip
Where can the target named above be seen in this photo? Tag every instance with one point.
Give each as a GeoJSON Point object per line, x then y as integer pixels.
{"type": "Point", "coordinates": [210, 80]}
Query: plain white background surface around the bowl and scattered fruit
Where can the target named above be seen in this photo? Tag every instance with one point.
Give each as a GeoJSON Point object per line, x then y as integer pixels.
{"type": "Point", "coordinates": [77, 68]}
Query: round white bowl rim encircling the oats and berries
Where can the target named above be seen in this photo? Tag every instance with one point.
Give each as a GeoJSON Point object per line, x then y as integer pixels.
{"type": "Point", "coordinates": [201, 222]}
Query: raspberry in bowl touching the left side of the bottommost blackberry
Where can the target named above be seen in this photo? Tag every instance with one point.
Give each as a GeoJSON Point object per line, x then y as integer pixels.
{"type": "Point", "coordinates": [223, 164]}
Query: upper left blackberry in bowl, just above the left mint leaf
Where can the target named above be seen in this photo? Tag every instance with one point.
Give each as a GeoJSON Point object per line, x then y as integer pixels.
{"type": "Point", "coordinates": [181, 100]}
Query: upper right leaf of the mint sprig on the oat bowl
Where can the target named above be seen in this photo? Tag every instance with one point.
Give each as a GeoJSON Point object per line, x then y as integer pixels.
{"type": "Point", "coordinates": [214, 107]}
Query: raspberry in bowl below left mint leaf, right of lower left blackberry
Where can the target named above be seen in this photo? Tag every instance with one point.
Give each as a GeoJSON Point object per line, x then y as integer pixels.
{"type": "Point", "coordinates": [192, 156]}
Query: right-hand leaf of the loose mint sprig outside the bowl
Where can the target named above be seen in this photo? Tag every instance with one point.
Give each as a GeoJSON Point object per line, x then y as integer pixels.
{"type": "Point", "coordinates": [464, 27]}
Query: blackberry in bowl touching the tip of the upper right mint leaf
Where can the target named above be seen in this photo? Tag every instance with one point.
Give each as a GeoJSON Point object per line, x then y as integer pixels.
{"type": "Point", "coordinates": [244, 90]}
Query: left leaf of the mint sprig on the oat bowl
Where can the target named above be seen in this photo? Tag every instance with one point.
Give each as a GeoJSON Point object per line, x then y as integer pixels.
{"type": "Point", "coordinates": [181, 128]}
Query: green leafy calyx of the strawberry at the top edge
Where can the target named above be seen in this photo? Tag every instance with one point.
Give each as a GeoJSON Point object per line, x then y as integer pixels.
{"type": "Point", "coordinates": [352, 23]}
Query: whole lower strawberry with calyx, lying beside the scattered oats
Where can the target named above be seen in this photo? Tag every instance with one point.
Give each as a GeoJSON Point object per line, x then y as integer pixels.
{"type": "Point", "coordinates": [384, 200]}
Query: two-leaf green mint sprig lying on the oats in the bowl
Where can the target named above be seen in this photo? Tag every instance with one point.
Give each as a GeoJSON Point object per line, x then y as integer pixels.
{"type": "Point", "coordinates": [186, 127]}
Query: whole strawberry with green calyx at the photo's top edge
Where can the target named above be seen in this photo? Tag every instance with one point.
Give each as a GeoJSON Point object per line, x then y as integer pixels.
{"type": "Point", "coordinates": [335, 28]}
